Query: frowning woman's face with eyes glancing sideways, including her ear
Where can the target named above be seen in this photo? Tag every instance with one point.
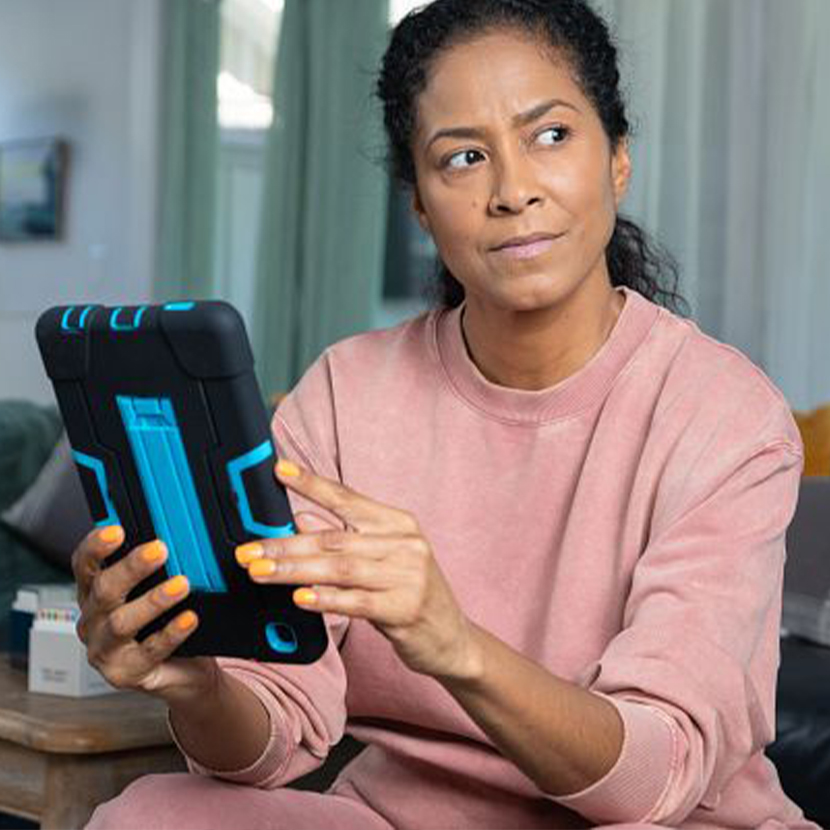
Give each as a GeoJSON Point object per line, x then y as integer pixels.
{"type": "Point", "coordinates": [515, 178]}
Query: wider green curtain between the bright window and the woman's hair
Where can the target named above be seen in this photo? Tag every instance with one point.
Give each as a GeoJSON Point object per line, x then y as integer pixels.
{"type": "Point", "coordinates": [322, 231]}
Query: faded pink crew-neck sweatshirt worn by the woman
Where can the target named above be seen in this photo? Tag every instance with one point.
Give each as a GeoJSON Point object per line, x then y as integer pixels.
{"type": "Point", "coordinates": [624, 529]}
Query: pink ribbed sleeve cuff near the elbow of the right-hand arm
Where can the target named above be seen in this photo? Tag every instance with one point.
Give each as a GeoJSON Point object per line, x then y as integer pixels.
{"type": "Point", "coordinates": [633, 789]}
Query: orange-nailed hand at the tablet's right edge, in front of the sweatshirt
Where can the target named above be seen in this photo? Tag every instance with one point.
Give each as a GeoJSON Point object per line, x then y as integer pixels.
{"type": "Point", "coordinates": [381, 569]}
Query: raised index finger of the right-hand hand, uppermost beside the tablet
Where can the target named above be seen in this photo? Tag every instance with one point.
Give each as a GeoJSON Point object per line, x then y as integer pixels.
{"type": "Point", "coordinates": [357, 510]}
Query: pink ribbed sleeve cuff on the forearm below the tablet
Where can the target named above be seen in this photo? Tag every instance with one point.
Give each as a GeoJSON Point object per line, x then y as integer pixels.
{"type": "Point", "coordinates": [272, 759]}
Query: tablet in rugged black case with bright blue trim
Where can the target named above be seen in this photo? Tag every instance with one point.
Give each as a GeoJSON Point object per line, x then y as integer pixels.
{"type": "Point", "coordinates": [172, 441]}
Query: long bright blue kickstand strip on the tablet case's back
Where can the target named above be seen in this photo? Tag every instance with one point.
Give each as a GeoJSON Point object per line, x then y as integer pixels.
{"type": "Point", "coordinates": [167, 481]}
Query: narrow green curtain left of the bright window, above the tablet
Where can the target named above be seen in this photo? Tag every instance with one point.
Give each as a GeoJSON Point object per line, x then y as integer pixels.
{"type": "Point", "coordinates": [189, 148]}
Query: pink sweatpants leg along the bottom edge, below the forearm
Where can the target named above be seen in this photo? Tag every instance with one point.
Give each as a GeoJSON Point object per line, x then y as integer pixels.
{"type": "Point", "coordinates": [179, 801]}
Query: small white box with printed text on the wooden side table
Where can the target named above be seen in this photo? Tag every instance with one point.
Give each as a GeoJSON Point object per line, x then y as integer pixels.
{"type": "Point", "coordinates": [57, 658]}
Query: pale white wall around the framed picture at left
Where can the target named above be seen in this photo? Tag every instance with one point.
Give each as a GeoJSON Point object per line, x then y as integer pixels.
{"type": "Point", "coordinates": [87, 71]}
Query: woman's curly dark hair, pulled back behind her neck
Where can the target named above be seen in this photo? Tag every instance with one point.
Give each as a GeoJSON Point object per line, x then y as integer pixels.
{"type": "Point", "coordinates": [572, 29]}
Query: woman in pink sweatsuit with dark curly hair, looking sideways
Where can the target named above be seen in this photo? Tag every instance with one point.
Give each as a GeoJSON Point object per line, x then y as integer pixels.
{"type": "Point", "coordinates": [545, 521]}
